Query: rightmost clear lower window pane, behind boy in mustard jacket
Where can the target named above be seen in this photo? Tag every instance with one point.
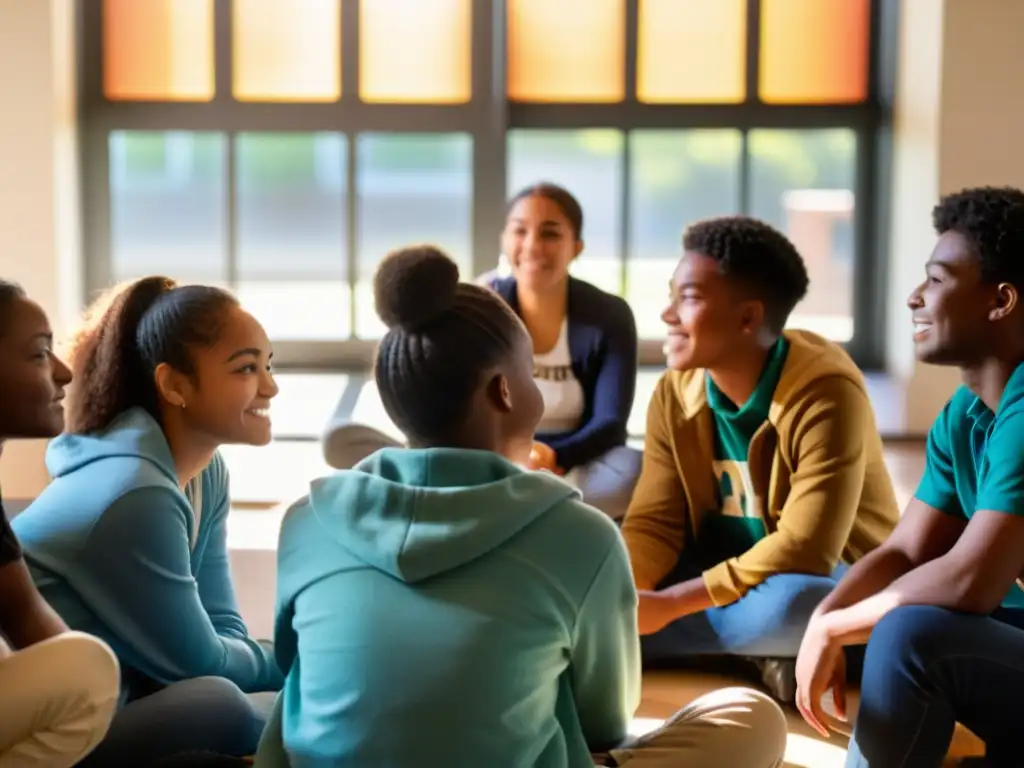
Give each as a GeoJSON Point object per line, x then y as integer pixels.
{"type": "Point", "coordinates": [802, 183]}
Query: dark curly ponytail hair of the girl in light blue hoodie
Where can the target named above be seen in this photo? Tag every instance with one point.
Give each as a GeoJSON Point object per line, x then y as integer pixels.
{"type": "Point", "coordinates": [126, 334]}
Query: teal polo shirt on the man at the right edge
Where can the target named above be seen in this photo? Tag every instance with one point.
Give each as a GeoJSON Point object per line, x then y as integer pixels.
{"type": "Point", "coordinates": [975, 459]}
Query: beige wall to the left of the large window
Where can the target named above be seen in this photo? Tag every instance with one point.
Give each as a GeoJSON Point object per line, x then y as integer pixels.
{"type": "Point", "coordinates": [39, 238]}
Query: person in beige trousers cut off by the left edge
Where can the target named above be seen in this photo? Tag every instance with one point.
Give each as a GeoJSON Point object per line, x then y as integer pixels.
{"type": "Point", "coordinates": [59, 690]}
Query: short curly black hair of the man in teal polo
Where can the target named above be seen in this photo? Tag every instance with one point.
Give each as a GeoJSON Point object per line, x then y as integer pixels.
{"type": "Point", "coordinates": [993, 222]}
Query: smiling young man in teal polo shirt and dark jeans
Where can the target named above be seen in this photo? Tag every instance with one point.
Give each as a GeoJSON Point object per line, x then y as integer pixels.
{"type": "Point", "coordinates": [940, 600]}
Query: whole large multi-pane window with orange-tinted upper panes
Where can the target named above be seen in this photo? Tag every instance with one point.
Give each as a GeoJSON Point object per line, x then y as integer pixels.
{"type": "Point", "coordinates": [282, 148]}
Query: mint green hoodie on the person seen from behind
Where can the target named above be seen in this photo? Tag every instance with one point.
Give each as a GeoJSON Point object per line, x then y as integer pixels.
{"type": "Point", "coordinates": [445, 608]}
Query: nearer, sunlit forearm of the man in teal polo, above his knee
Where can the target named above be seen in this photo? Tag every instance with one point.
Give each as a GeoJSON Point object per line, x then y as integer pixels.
{"type": "Point", "coordinates": [934, 583]}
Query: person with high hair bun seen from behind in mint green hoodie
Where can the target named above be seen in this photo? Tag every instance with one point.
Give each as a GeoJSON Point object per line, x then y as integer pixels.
{"type": "Point", "coordinates": [441, 606]}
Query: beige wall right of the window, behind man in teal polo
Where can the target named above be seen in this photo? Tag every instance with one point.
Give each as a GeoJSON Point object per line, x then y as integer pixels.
{"type": "Point", "coordinates": [960, 119]}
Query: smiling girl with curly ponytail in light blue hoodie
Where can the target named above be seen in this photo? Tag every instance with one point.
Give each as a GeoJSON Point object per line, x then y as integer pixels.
{"type": "Point", "coordinates": [129, 542]}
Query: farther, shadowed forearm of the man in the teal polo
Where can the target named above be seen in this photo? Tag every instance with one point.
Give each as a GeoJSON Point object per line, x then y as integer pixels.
{"type": "Point", "coordinates": [922, 535]}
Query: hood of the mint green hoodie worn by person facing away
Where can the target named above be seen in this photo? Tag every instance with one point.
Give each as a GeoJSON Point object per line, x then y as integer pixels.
{"type": "Point", "coordinates": [417, 514]}
